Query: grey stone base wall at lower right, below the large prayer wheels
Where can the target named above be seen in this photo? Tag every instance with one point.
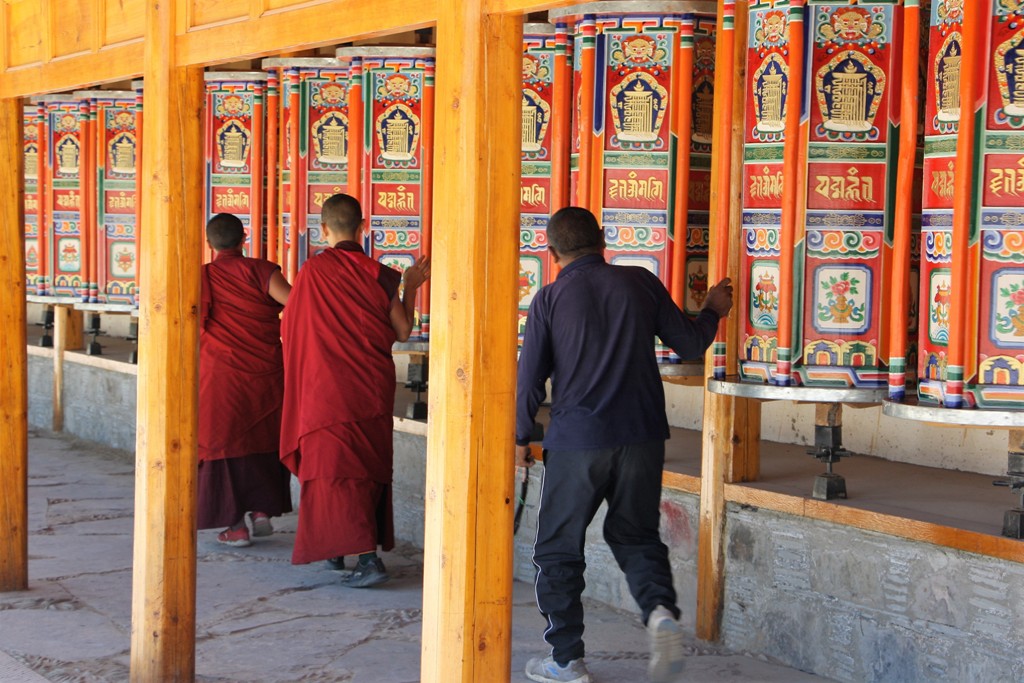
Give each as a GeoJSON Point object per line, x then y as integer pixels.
{"type": "Point", "coordinates": [858, 606]}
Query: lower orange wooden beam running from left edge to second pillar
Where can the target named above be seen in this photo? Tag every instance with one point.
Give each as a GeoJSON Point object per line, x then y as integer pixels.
{"type": "Point", "coordinates": [75, 72]}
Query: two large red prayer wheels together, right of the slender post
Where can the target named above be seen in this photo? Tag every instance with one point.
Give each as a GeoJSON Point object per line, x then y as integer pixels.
{"type": "Point", "coordinates": [861, 269]}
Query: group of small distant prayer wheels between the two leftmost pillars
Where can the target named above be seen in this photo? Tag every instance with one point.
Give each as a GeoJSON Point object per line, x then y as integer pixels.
{"type": "Point", "coordinates": [81, 208]}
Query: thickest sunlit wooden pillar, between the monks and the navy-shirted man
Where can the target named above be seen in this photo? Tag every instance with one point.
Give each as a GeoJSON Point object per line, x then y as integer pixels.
{"type": "Point", "coordinates": [468, 546]}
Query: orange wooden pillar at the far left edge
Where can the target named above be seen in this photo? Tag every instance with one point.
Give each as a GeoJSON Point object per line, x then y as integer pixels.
{"type": "Point", "coordinates": [14, 358]}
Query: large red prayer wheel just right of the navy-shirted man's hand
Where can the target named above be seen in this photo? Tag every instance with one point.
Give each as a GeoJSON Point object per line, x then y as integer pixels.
{"type": "Point", "coordinates": [841, 238]}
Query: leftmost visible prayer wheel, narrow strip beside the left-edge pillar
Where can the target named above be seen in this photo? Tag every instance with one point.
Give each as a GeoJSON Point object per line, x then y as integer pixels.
{"type": "Point", "coordinates": [34, 136]}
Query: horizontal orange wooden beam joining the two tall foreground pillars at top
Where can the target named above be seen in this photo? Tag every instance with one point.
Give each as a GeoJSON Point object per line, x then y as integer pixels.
{"type": "Point", "coordinates": [311, 26]}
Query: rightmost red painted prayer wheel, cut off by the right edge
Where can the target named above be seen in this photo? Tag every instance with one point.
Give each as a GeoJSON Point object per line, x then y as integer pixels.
{"type": "Point", "coordinates": [972, 283]}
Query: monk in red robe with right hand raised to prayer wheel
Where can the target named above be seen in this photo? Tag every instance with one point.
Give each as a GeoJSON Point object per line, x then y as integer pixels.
{"type": "Point", "coordinates": [343, 319]}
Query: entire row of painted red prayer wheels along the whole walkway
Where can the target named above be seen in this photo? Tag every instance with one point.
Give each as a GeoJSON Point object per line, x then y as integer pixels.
{"type": "Point", "coordinates": [851, 274]}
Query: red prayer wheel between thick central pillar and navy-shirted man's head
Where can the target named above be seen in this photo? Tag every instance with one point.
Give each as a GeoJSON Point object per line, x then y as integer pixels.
{"type": "Point", "coordinates": [544, 181]}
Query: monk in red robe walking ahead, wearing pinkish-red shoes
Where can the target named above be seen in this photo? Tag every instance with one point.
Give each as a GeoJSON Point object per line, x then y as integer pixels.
{"type": "Point", "coordinates": [242, 483]}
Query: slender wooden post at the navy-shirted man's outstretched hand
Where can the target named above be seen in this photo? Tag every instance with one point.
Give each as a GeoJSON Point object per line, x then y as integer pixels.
{"type": "Point", "coordinates": [732, 426]}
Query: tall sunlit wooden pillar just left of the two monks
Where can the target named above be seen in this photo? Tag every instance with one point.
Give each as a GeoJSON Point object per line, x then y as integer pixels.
{"type": "Point", "coordinates": [163, 636]}
